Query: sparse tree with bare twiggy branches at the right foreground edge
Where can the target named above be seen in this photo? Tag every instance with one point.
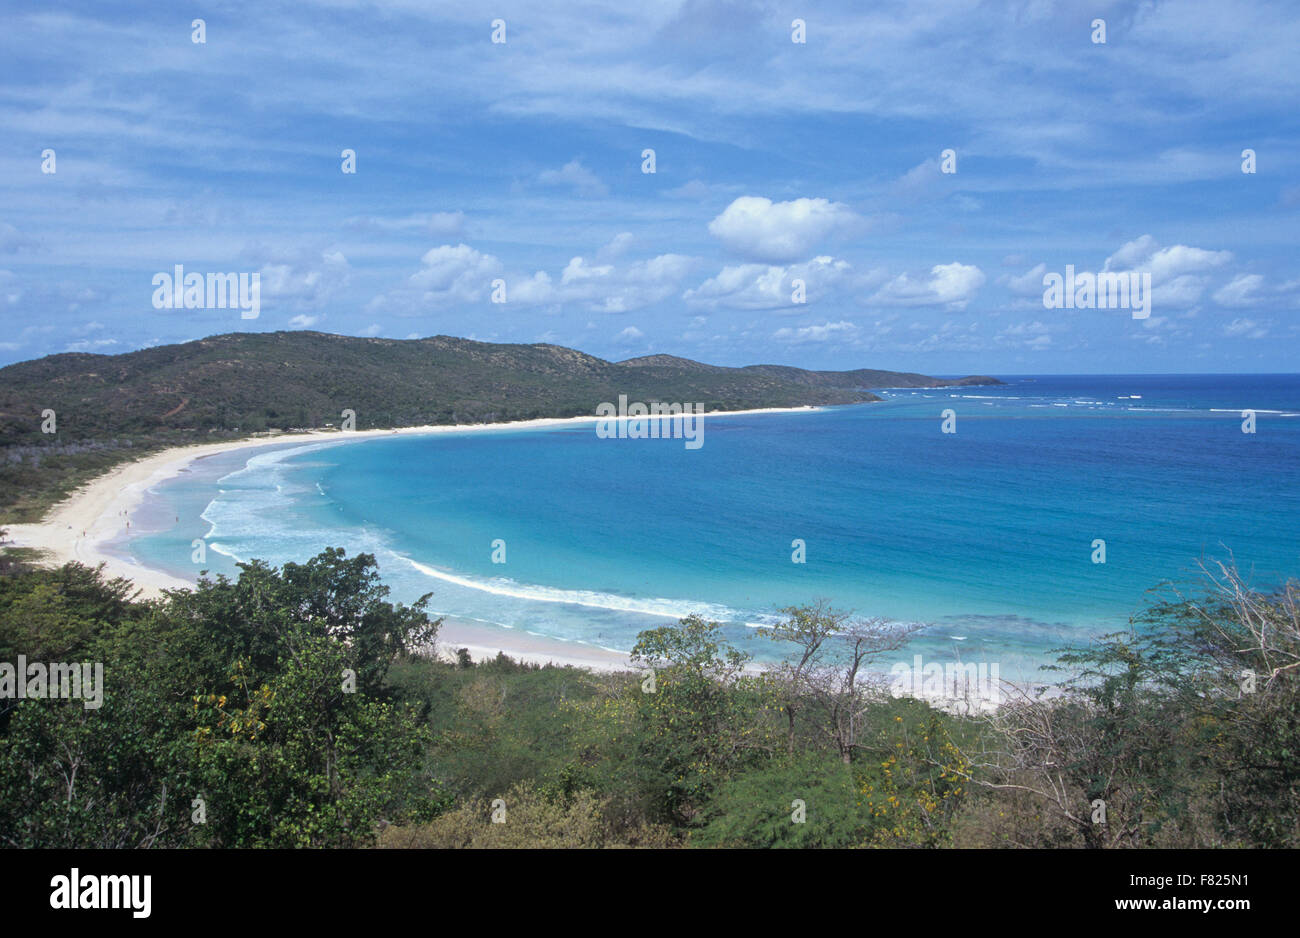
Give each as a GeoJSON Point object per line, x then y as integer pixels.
{"type": "Point", "coordinates": [1185, 727]}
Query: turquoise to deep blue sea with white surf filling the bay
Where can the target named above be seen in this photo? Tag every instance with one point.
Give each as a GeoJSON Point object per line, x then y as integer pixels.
{"type": "Point", "coordinates": [986, 535]}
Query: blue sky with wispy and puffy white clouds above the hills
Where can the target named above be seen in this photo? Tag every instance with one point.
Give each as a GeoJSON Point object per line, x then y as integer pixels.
{"type": "Point", "coordinates": [775, 162]}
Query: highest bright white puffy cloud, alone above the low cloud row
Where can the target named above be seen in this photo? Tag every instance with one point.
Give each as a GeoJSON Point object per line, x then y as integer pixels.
{"type": "Point", "coordinates": [782, 232]}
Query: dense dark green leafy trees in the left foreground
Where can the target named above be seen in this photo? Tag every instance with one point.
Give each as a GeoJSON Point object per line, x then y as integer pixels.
{"type": "Point", "coordinates": [236, 694]}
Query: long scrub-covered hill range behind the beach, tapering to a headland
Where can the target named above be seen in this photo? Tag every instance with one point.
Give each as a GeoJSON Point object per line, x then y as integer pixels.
{"type": "Point", "coordinates": [109, 409]}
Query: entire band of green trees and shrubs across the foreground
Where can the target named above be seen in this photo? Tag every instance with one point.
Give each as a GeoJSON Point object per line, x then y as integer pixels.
{"type": "Point", "coordinates": [300, 707]}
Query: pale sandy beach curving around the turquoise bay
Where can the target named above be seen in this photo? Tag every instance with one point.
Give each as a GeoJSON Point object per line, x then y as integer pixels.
{"type": "Point", "coordinates": [81, 527]}
